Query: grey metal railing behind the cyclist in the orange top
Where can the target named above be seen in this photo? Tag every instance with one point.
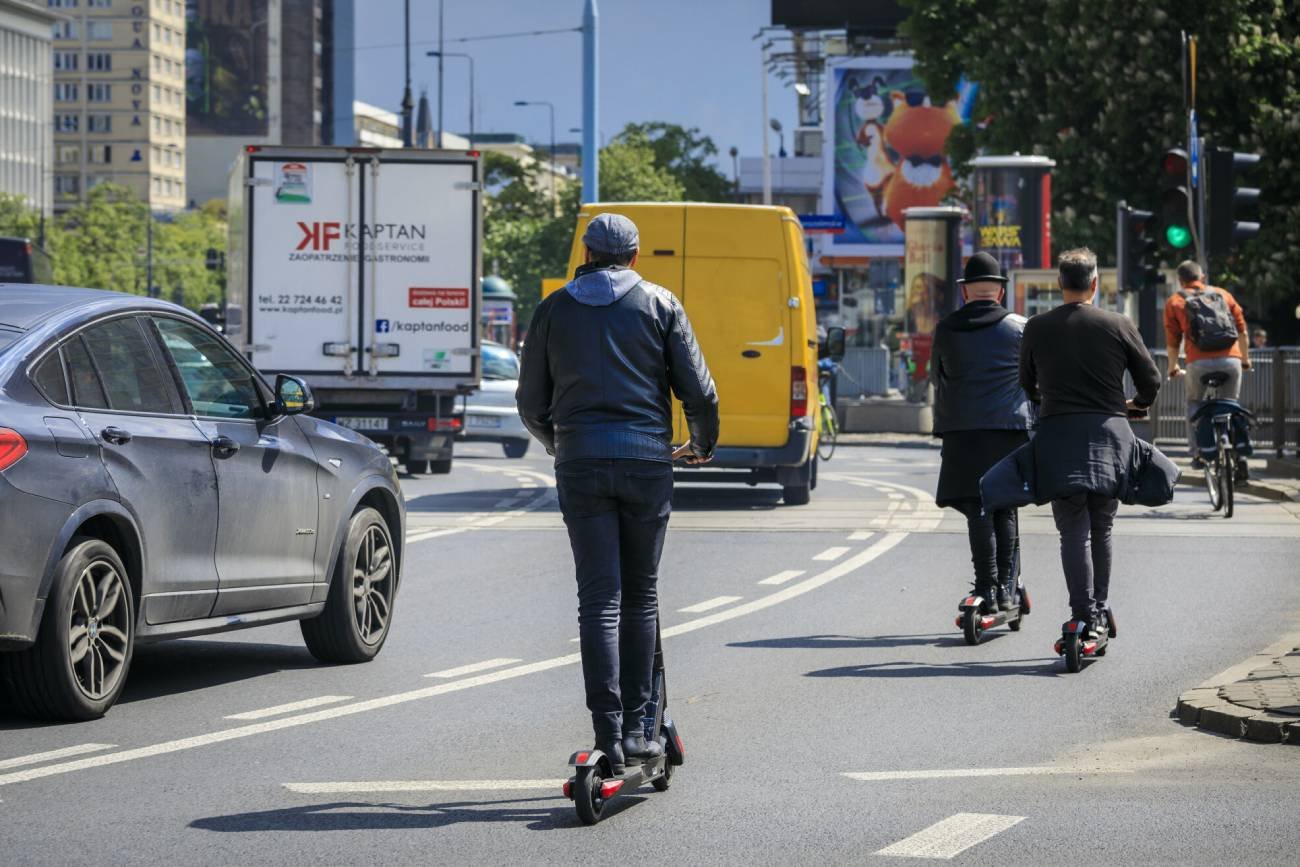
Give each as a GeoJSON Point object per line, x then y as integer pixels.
{"type": "Point", "coordinates": [1271, 389]}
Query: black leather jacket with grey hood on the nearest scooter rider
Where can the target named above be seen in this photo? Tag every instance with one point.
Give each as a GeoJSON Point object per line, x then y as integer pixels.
{"type": "Point", "coordinates": [599, 363]}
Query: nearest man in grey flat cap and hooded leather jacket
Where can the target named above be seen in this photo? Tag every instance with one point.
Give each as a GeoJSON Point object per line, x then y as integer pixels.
{"type": "Point", "coordinates": [601, 359]}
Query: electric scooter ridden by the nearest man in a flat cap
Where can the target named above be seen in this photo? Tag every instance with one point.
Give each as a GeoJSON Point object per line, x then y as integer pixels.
{"type": "Point", "coordinates": [595, 784]}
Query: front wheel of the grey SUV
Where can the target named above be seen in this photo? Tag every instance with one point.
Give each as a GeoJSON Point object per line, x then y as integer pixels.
{"type": "Point", "coordinates": [359, 606]}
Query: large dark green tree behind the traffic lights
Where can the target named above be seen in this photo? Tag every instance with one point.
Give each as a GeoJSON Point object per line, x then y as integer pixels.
{"type": "Point", "coordinates": [1098, 88]}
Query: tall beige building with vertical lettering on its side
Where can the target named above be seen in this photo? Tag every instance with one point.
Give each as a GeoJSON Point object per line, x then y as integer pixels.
{"type": "Point", "coordinates": [120, 99]}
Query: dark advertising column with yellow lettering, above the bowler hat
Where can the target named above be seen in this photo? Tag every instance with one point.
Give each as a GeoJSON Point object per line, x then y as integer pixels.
{"type": "Point", "coordinates": [1013, 213]}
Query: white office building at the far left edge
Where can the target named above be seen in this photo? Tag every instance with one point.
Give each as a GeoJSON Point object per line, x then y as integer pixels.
{"type": "Point", "coordinates": [27, 88]}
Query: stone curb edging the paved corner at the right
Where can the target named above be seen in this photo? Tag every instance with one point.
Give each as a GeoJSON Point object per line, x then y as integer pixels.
{"type": "Point", "coordinates": [1206, 709]}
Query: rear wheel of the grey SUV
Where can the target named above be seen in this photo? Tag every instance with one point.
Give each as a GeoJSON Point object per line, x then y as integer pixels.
{"type": "Point", "coordinates": [79, 666]}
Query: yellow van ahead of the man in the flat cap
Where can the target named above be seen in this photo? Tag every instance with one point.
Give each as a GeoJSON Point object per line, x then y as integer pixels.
{"type": "Point", "coordinates": [743, 276]}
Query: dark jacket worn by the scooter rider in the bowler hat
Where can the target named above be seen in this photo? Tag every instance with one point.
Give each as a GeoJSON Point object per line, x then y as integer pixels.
{"type": "Point", "coordinates": [976, 369]}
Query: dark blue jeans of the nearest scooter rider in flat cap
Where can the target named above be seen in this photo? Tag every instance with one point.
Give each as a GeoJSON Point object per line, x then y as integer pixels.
{"type": "Point", "coordinates": [617, 513]}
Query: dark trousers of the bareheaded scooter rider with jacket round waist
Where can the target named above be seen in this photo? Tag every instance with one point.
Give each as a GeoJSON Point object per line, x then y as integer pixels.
{"type": "Point", "coordinates": [1085, 523]}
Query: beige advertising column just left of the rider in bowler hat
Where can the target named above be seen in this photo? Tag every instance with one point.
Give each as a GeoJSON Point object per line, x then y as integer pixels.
{"type": "Point", "coordinates": [934, 259]}
